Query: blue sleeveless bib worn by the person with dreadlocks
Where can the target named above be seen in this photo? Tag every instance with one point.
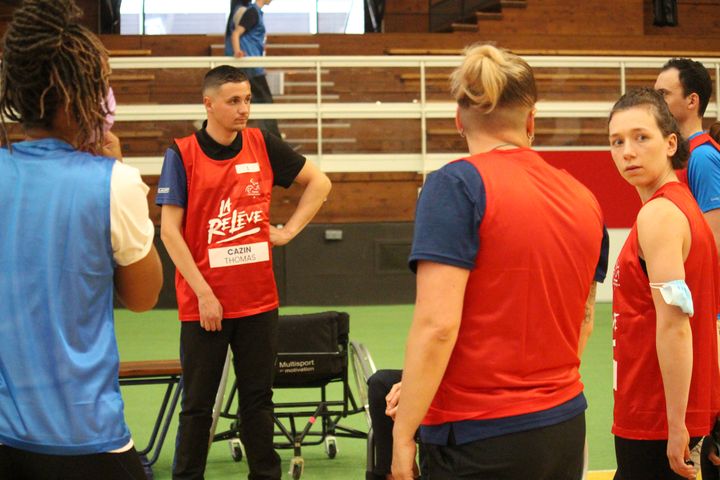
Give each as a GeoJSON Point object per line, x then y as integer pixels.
{"type": "Point", "coordinates": [59, 391]}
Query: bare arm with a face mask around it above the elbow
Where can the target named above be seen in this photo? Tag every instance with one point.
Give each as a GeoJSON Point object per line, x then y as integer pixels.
{"type": "Point", "coordinates": [664, 237]}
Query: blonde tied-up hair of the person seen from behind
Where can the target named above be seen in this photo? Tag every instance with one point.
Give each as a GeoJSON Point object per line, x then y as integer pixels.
{"type": "Point", "coordinates": [492, 78]}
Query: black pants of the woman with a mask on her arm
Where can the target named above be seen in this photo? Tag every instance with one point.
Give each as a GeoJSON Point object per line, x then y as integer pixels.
{"type": "Point", "coordinates": [644, 459]}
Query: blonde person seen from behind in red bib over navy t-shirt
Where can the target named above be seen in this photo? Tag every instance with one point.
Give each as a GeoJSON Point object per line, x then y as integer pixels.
{"type": "Point", "coordinates": [507, 250]}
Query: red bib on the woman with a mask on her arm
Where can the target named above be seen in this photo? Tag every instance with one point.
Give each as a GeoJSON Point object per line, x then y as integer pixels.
{"type": "Point", "coordinates": [639, 412]}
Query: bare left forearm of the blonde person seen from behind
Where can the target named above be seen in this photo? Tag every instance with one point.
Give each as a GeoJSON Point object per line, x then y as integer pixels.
{"type": "Point", "coordinates": [438, 310]}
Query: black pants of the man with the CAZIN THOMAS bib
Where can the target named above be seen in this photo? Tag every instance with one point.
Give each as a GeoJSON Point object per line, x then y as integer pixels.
{"type": "Point", "coordinates": [253, 341]}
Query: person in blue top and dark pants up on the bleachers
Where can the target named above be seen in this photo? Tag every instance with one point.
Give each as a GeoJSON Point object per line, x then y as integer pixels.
{"type": "Point", "coordinates": [245, 36]}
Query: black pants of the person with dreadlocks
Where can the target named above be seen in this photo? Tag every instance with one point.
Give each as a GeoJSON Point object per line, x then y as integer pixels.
{"type": "Point", "coordinates": [18, 464]}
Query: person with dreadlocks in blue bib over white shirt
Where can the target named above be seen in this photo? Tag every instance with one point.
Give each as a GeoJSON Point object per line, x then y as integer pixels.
{"type": "Point", "coordinates": [75, 227]}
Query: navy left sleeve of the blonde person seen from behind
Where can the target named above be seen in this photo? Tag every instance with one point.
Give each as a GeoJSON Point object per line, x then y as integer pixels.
{"type": "Point", "coordinates": [448, 216]}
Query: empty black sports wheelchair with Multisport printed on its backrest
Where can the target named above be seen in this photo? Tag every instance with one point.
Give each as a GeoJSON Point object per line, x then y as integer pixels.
{"type": "Point", "coordinates": [314, 352]}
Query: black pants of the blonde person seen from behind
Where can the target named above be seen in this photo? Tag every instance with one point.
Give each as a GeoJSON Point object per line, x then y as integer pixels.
{"type": "Point", "coordinates": [548, 453]}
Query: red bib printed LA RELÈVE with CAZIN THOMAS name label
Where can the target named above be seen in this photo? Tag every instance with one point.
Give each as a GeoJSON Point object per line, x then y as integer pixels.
{"type": "Point", "coordinates": [227, 228]}
